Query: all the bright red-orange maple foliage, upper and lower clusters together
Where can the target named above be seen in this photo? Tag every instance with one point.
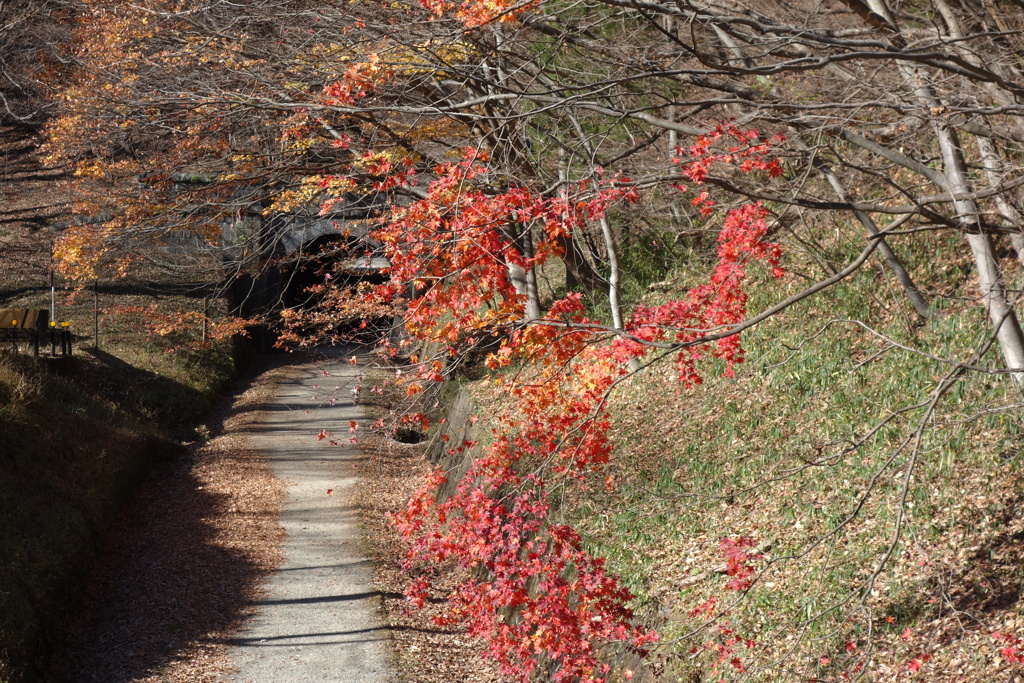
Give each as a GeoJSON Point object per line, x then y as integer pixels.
{"type": "Point", "coordinates": [535, 595]}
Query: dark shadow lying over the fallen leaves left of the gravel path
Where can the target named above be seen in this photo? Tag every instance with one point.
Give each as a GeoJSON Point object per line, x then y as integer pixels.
{"type": "Point", "coordinates": [168, 581]}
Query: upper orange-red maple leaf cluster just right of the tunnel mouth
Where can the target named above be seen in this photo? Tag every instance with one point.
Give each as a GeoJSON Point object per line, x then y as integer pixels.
{"type": "Point", "coordinates": [456, 245]}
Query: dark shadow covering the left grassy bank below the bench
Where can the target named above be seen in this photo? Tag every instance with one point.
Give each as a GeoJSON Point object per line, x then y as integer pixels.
{"type": "Point", "coordinates": [70, 458]}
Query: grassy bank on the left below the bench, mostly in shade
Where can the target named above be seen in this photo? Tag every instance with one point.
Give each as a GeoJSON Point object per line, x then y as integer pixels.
{"type": "Point", "coordinates": [76, 437]}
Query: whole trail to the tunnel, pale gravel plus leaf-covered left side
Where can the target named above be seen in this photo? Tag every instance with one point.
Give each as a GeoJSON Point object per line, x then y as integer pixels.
{"type": "Point", "coordinates": [200, 583]}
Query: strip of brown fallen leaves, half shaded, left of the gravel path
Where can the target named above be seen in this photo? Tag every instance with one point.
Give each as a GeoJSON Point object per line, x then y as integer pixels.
{"type": "Point", "coordinates": [182, 566]}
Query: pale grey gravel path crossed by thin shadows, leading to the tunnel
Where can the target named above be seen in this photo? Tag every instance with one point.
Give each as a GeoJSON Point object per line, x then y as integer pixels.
{"type": "Point", "coordinates": [320, 620]}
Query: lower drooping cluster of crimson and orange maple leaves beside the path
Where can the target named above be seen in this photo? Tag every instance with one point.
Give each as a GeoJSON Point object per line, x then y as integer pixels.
{"type": "Point", "coordinates": [536, 595]}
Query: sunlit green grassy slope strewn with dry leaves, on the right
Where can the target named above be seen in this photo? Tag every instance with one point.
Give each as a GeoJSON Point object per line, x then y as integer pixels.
{"type": "Point", "coordinates": [766, 456]}
